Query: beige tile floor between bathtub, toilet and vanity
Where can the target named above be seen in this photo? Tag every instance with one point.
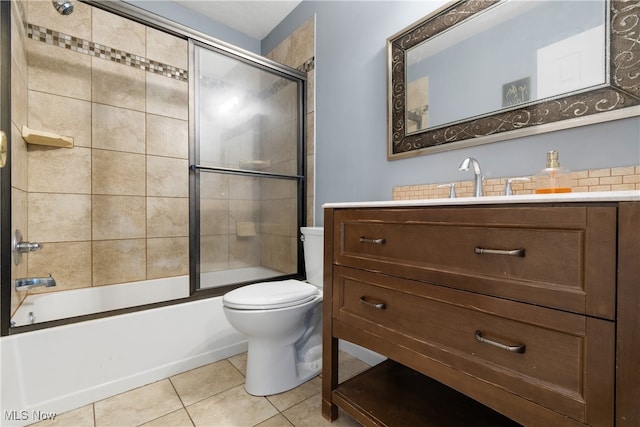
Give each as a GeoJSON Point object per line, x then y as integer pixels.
{"type": "Point", "coordinates": [212, 395]}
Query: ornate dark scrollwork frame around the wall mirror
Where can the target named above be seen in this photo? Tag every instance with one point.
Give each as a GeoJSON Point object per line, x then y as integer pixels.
{"type": "Point", "coordinates": [606, 102]}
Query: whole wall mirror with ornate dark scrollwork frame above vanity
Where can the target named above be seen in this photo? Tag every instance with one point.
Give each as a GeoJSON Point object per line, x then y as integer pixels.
{"type": "Point", "coordinates": [472, 72]}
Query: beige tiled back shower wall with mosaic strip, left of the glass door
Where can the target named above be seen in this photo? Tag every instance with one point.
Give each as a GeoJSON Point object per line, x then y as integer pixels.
{"type": "Point", "coordinates": [114, 208]}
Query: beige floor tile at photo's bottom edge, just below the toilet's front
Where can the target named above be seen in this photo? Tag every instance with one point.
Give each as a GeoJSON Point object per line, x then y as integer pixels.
{"type": "Point", "coordinates": [231, 408]}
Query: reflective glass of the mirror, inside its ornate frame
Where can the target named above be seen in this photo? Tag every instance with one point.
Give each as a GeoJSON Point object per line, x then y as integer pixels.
{"type": "Point", "coordinates": [534, 54]}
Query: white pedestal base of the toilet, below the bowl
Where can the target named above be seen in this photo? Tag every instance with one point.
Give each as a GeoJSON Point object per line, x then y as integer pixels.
{"type": "Point", "coordinates": [275, 370]}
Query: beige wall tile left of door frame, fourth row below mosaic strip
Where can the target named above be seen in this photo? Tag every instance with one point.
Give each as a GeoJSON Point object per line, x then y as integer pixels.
{"type": "Point", "coordinates": [167, 217]}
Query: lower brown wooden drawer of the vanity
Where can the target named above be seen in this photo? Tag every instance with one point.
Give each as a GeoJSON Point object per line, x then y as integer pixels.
{"type": "Point", "coordinates": [540, 354]}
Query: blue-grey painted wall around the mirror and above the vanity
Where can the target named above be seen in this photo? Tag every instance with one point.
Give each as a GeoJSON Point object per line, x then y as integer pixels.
{"type": "Point", "coordinates": [351, 113]}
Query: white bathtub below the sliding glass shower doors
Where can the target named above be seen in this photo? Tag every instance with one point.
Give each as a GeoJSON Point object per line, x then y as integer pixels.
{"type": "Point", "coordinates": [57, 369]}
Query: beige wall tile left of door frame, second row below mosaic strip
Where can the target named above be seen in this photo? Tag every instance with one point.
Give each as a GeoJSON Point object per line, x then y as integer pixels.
{"type": "Point", "coordinates": [167, 137]}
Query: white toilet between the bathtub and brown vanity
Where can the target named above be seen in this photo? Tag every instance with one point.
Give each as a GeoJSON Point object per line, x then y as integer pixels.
{"type": "Point", "coordinates": [283, 324]}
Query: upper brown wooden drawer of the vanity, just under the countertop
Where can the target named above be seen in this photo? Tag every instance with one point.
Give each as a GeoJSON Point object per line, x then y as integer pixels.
{"type": "Point", "coordinates": [562, 257]}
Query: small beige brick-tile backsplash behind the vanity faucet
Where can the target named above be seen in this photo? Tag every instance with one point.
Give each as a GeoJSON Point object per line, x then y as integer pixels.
{"type": "Point", "coordinates": [613, 179]}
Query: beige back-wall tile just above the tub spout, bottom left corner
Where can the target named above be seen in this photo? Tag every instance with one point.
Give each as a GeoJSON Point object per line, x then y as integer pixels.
{"type": "Point", "coordinates": [69, 263]}
